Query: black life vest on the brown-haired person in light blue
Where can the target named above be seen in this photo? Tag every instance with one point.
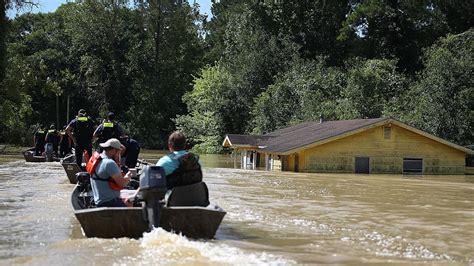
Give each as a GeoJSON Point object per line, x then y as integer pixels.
{"type": "Point", "coordinates": [189, 172]}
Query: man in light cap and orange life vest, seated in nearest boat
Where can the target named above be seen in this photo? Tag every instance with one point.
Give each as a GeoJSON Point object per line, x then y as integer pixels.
{"type": "Point", "coordinates": [107, 171]}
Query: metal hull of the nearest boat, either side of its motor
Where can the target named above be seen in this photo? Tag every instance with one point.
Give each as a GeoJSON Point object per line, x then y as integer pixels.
{"type": "Point", "coordinates": [191, 221]}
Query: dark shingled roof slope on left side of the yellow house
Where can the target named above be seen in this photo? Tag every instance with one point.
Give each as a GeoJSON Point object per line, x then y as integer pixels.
{"type": "Point", "coordinates": [294, 137]}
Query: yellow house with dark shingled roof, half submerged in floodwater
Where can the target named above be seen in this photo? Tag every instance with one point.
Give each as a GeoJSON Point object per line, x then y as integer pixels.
{"type": "Point", "coordinates": [380, 145]}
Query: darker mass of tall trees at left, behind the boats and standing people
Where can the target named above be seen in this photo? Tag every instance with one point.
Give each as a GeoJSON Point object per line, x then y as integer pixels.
{"type": "Point", "coordinates": [133, 58]}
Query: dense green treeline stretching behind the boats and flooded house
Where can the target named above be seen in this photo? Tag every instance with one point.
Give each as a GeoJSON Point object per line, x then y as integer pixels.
{"type": "Point", "coordinates": [254, 67]}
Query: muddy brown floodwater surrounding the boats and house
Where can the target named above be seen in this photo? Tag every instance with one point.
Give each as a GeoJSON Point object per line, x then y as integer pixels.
{"type": "Point", "coordinates": [273, 218]}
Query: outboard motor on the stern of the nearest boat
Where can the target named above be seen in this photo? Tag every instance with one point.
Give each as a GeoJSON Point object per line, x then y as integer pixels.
{"type": "Point", "coordinates": [152, 192]}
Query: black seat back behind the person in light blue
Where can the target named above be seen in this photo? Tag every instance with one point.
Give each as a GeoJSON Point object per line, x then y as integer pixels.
{"type": "Point", "coordinates": [190, 195]}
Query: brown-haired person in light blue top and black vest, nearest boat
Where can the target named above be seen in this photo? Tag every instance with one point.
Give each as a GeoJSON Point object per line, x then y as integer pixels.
{"type": "Point", "coordinates": [180, 166]}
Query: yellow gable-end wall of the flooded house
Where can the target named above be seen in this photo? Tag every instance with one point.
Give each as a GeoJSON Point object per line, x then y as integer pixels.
{"type": "Point", "coordinates": [386, 155]}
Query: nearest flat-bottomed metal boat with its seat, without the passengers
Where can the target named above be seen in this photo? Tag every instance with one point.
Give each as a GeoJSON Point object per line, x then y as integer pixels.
{"type": "Point", "coordinates": [185, 210]}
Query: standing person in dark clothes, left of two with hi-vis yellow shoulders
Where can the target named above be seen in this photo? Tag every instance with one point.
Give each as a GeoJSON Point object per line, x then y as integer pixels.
{"type": "Point", "coordinates": [81, 129]}
